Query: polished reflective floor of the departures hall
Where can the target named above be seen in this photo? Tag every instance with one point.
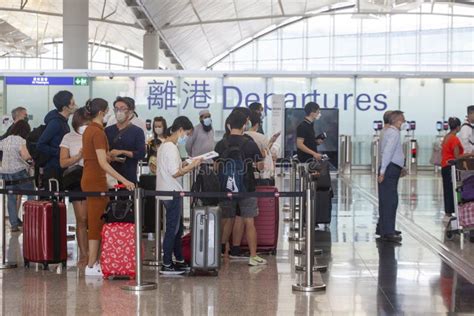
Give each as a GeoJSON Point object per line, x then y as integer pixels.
{"type": "Point", "coordinates": [364, 276]}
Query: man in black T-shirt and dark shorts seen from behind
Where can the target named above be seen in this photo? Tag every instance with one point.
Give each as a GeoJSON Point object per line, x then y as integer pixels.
{"type": "Point", "coordinates": [250, 154]}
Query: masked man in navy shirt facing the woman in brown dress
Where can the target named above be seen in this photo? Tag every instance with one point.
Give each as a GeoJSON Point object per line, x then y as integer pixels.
{"type": "Point", "coordinates": [126, 141]}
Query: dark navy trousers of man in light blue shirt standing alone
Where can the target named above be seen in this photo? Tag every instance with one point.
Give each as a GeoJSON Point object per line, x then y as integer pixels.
{"type": "Point", "coordinates": [388, 199]}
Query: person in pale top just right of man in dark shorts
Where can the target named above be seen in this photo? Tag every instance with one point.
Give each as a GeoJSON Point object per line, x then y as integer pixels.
{"type": "Point", "coordinates": [266, 147]}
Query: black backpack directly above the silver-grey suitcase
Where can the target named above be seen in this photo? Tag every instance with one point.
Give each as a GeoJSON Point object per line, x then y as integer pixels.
{"type": "Point", "coordinates": [206, 181]}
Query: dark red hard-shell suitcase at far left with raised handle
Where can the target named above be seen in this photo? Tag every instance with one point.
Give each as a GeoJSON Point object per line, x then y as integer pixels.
{"type": "Point", "coordinates": [44, 233]}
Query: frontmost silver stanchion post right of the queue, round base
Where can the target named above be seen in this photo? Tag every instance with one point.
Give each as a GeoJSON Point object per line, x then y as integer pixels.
{"type": "Point", "coordinates": [308, 285]}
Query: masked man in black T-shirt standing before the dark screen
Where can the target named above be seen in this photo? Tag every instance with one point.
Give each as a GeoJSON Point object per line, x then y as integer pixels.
{"type": "Point", "coordinates": [306, 142]}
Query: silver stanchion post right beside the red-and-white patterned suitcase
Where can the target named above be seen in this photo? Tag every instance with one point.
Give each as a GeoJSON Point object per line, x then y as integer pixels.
{"type": "Point", "coordinates": [139, 284]}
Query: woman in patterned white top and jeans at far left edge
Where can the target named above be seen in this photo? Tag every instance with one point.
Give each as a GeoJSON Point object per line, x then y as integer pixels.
{"type": "Point", "coordinates": [15, 167]}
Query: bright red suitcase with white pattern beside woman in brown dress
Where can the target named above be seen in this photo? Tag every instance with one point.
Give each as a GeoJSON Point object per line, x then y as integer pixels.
{"type": "Point", "coordinates": [117, 257]}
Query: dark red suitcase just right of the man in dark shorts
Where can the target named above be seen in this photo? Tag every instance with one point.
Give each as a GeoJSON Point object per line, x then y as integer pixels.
{"type": "Point", "coordinates": [266, 223]}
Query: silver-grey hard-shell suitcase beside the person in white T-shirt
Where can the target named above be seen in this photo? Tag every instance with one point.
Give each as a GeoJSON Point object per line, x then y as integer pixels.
{"type": "Point", "coordinates": [205, 241]}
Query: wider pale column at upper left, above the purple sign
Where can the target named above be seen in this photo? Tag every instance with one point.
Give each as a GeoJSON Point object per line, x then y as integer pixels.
{"type": "Point", "coordinates": [75, 34]}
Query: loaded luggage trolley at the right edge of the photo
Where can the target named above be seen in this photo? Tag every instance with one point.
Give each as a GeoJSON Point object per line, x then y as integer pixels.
{"type": "Point", "coordinates": [461, 169]}
